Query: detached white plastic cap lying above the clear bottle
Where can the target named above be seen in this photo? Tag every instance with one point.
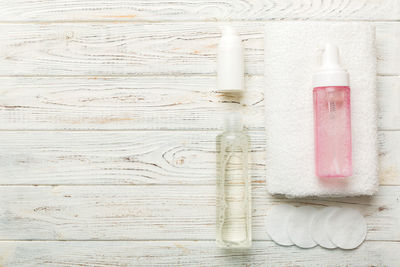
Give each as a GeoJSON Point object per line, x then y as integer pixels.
{"type": "Point", "coordinates": [230, 62]}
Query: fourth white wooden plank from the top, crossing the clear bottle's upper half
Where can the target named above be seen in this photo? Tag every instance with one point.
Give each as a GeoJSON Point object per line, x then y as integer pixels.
{"type": "Point", "coordinates": [141, 157]}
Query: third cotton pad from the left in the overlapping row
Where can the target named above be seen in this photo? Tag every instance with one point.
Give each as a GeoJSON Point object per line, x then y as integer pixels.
{"type": "Point", "coordinates": [318, 227]}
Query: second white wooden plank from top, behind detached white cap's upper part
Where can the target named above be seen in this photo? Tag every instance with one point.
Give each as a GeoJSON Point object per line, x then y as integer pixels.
{"type": "Point", "coordinates": [142, 48]}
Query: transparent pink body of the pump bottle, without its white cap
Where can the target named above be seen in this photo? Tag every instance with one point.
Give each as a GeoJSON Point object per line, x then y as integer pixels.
{"type": "Point", "coordinates": [332, 131]}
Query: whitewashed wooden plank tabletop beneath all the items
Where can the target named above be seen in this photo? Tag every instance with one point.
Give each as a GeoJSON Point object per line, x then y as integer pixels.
{"type": "Point", "coordinates": [108, 122]}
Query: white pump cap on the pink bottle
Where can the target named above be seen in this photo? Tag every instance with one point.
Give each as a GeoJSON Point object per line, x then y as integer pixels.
{"type": "Point", "coordinates": [330, 73]}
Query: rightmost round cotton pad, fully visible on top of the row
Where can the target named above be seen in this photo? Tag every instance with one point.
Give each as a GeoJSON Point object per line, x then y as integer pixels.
{"type": "Point", "coordinates": [346, 228]}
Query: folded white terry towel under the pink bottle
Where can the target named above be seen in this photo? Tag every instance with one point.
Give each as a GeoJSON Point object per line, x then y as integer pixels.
{"type": "Point", "coordinates": [291, 50]}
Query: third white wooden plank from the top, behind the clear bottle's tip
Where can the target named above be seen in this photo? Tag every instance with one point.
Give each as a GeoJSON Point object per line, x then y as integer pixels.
{"type": "Point", "coordinates": [115, 103]}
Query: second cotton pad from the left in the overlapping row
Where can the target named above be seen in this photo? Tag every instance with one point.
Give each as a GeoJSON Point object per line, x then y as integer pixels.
{"type": "Point", "coordinates": [298, 227]}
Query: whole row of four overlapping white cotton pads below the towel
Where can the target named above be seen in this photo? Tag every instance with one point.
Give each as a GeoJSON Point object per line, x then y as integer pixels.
{"type": "Point", "coordinates": [306, 227]}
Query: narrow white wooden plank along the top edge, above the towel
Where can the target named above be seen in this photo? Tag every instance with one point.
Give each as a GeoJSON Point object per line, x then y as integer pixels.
{"type": "Point", "coordinates": [158, 10]}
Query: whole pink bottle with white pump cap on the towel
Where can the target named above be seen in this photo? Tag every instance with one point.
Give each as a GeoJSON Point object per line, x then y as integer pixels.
{"type": "Point", "coordinates": [332, 118]}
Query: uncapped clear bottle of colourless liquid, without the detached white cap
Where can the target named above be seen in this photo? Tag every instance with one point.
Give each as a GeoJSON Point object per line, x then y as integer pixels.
{"type": "Point", "coordinates": [233, 186]}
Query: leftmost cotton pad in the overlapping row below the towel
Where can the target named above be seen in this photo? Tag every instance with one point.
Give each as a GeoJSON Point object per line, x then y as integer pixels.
{"type": "Point", "coordinates": [277, 224]}
